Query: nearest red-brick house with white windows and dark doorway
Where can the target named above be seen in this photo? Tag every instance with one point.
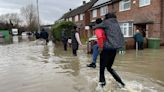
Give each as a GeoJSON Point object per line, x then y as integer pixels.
{"type": "Point", "coordinates": [147, 15]}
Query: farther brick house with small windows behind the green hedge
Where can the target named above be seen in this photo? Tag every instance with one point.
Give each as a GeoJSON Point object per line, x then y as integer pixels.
{"type": "Point", "coordinates": [81, 16]}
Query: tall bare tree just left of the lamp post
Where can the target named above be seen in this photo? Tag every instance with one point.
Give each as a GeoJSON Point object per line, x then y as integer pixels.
{"type": "Point", "coordinates": [30, 16]}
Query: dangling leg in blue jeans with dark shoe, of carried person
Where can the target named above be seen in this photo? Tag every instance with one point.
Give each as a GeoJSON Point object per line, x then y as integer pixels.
{"type": "Point", "coordinates": [94, 56]}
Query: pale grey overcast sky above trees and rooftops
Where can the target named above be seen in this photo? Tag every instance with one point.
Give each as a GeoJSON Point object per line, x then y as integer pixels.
{"type": "Point", "coordinates": [50, 10]}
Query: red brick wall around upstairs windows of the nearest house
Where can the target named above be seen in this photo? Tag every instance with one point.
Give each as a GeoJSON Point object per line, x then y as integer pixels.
{"type": "Point", "coordinates": [150, 13]}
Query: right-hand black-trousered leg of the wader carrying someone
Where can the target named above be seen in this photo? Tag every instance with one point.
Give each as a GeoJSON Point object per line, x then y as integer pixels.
{"type": "Point", "coordinates": [111, 57]}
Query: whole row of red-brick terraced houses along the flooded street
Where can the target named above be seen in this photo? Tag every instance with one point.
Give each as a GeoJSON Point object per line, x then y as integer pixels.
{"type": "Point", "coordinates": [147, 15]}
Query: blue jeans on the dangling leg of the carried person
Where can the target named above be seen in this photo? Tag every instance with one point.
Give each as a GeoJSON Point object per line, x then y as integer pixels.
{"type": "Point", "coordinates": [95, 53]}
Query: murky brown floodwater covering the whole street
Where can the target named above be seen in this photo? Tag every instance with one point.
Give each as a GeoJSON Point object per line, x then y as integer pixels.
{"type": "Point", "coordinates": [30, 66]}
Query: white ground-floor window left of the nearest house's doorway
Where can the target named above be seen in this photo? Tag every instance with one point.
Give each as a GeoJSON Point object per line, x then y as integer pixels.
{"type": "Point", "coordinates": [127, 29]}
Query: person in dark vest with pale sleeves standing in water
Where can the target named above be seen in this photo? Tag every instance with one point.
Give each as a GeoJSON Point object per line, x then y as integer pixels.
{"type": "Point", "coordinates": [75, 41]}
